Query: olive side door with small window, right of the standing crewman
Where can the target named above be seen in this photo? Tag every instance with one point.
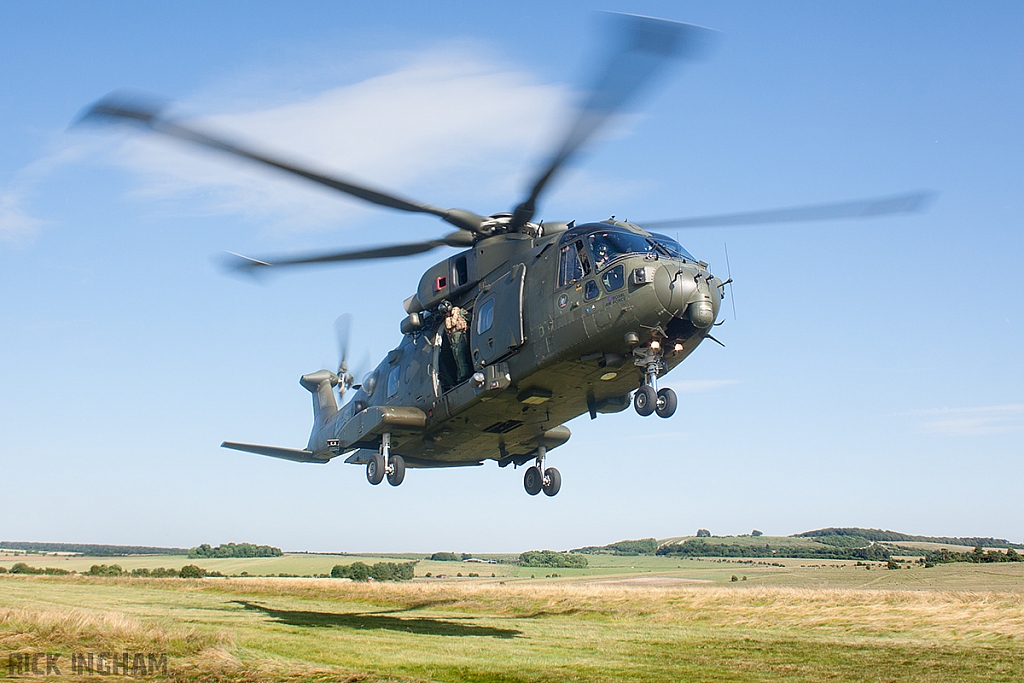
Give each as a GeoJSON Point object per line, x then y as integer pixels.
{"type": "Point", "coordinates": [498, 317]}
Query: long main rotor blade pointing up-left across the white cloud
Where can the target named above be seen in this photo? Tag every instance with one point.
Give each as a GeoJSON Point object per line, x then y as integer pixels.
{"type": "Point", "coordinates": [123, 110]}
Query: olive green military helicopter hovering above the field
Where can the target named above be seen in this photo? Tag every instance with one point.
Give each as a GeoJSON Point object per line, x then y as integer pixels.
{"type": "Point", "coordinates": [534, 323]}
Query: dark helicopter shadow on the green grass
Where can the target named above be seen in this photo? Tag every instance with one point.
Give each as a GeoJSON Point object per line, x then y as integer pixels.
{"type": "Point", "coordinates": [368, 622]}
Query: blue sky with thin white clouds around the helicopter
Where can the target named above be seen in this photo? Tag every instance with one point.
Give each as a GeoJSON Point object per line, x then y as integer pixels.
{"type": "Point", "coordinates": [873, 375]}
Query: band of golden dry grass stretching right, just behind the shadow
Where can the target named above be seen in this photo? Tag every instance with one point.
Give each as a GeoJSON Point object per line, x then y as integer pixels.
{"type": "Point", "coordinates": [950, 614]}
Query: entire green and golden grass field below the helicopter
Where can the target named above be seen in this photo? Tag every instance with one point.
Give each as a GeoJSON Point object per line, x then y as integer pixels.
{"type": "Point", "coordinates": [626, 619]}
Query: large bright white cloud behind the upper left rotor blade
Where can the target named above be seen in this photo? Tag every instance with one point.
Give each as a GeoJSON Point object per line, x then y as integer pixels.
{"type": "Point", "coordinates": [448, 129]}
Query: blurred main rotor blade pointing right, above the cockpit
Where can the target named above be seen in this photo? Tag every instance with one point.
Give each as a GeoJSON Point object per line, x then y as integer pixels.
{"type": "Point", "coordinates": [872, 208]}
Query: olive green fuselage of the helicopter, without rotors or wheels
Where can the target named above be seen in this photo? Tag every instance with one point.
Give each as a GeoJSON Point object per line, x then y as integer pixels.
{"type": "Point", "coordinates": [551, 352]}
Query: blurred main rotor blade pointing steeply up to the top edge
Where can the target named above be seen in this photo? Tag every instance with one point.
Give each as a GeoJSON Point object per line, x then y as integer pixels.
{"type": "Point", "coordinates": [646, 46]}
